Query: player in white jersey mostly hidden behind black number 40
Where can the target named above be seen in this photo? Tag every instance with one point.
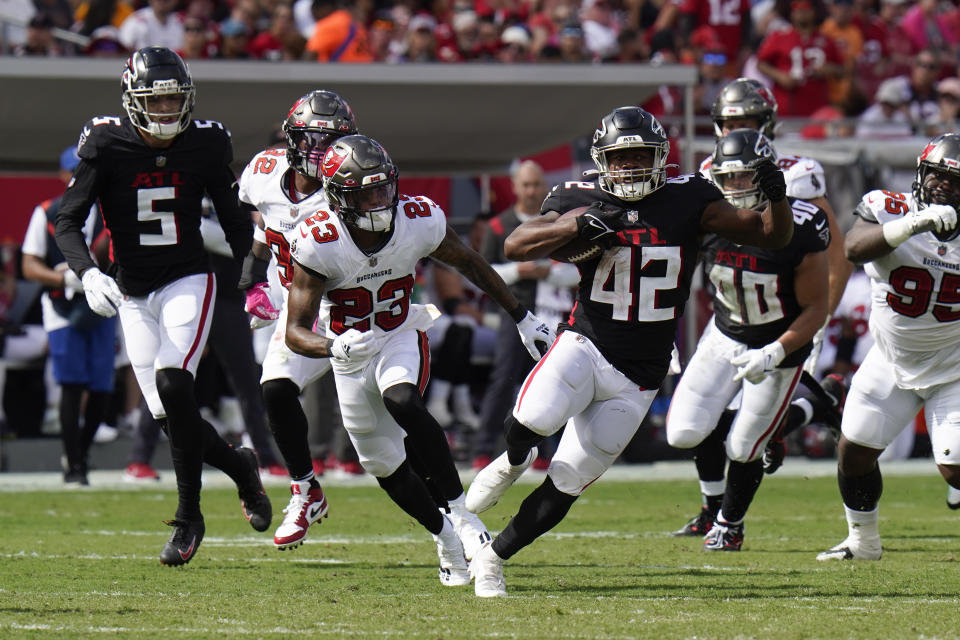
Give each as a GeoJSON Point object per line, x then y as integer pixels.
{"type": "Point", "coordinates": [746, 103]}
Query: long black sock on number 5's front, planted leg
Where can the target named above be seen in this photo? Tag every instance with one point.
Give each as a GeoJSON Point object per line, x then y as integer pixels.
{"type": "Point", "coordinates": [175, 387]}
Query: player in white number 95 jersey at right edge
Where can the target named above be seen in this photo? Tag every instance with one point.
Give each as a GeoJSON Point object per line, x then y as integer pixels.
{"type": "Point", "coordinates": [909, 244]}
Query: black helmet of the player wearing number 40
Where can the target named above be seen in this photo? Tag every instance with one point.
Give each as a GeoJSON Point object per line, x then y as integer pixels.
{"type": "Point", "coordinates": [735, 160]}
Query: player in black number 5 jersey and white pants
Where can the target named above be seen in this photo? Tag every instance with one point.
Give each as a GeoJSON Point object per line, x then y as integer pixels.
{"type": "Point", "coordinates": [149, 170]}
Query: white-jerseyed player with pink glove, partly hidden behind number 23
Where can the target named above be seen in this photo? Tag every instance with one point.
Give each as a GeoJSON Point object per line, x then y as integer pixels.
{"type": "Point", "coordinates": [284, 186]}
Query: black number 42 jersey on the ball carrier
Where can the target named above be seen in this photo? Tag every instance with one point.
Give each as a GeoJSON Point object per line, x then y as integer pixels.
{"type": "Point", "coordinates": [630, 298]}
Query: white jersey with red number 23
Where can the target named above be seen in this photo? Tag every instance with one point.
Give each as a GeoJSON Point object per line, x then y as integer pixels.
{"type": "Point", "coordinates": [368, 292]}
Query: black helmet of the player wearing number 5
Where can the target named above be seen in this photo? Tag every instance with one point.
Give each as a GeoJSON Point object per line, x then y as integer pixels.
{"type": "Point", "coordinates": [157, 71]}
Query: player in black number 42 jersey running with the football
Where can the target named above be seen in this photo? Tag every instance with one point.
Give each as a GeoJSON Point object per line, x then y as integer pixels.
{"type": "Point", "coordinates": [603, 372]}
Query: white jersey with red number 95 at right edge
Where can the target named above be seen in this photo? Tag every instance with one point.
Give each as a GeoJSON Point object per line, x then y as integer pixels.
{"type": "Point", "coordinates": [915, 298]}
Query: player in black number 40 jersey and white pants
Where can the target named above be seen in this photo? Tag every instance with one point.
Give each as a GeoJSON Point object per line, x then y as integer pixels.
{"type": "Point", "coordinates": [767, 307]}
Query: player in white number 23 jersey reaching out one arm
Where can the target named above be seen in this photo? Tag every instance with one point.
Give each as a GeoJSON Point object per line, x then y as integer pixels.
{"type": "Point", "coordinates": [355, 263]}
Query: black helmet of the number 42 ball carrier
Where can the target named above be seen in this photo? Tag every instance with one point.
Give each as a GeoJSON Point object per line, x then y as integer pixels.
{"type": "Point", "coordinates": [630, 128]}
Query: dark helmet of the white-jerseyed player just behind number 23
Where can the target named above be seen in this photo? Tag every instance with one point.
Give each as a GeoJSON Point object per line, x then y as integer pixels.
{"type": "Point", "coordinates": [313, 123]}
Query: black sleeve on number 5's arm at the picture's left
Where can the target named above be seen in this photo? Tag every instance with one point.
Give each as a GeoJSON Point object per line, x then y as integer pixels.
{"type": "Point", "coordinates": [72, 214]}
